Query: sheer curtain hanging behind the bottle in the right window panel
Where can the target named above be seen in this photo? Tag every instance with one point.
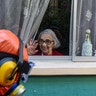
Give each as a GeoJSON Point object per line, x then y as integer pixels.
{"type": "Point", "coordinates": [86, 19]}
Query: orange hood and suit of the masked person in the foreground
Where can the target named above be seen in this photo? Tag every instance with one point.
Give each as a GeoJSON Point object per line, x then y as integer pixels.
{"type": "Point", "coordinates": [9, 43]}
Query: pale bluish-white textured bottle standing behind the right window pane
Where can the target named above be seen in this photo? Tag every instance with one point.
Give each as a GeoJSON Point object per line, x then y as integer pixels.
{"type": "Point", "coordinates": [87, 45]}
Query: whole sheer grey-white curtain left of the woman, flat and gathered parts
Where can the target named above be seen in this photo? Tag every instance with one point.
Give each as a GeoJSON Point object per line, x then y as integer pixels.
{"type": "Point", "coordinates": [22, 17]}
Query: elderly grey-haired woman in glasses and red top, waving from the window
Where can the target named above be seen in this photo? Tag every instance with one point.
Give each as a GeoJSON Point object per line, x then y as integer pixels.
{"type": "Point", "coordinates": [46, 44]}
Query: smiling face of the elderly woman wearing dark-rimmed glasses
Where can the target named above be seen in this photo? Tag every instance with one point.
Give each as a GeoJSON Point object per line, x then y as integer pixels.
{"type": "Point", "coordinates": [46, 44]}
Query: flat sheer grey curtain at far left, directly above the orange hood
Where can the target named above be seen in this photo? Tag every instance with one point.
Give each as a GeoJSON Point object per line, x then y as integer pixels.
{"type": "Point", "coordinates": [10, 11]}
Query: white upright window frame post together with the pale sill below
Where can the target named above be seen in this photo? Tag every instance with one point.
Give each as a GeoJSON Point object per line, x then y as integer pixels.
{"type": "Point", "coordinates": [64, 65]}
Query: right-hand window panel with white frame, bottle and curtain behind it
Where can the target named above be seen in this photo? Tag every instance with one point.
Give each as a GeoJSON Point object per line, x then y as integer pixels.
{"type": "Point", "coordinates": [84, 32]}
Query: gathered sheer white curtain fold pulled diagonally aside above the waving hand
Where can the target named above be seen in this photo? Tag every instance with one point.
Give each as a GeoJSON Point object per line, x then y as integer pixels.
{"type": "Point", "coordinates": [34, 12]}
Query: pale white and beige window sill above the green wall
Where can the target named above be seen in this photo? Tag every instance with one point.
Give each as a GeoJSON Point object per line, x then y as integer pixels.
{"type": "Point", "coordinates": [61, 67]}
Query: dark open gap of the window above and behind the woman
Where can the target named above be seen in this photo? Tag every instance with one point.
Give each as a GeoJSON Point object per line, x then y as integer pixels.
{"type": "Point", "coordinates": [57, 18]}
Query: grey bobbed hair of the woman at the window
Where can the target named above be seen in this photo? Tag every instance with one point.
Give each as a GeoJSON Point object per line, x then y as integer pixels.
{"type": "Point", "coordinates": [55, 39]}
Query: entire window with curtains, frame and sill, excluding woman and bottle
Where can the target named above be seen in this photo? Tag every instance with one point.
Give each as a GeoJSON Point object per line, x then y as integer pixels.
{"type": "Point", "coordinates": [72, 18]}
